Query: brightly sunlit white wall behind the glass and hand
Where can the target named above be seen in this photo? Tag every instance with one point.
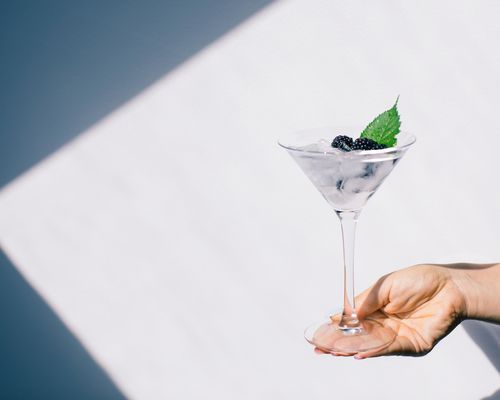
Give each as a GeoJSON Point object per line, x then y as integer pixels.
{"type": "Point", "coordinates": [187, 252]}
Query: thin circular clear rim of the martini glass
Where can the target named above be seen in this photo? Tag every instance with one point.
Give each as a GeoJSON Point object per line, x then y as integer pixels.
{"type": "Point", "coordinates": [410, 139]}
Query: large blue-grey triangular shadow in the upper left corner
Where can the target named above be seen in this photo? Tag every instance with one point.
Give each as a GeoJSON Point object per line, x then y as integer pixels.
{"type": "Point", "coordinates": [66, 66]}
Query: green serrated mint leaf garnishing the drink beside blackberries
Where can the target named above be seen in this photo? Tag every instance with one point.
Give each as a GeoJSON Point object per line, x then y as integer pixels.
{"type": "Point", "coordinates": [385, 127]}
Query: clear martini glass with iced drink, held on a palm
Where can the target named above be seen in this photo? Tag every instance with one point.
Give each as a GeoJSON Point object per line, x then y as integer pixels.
{"type": "Point", "coordinates": [346, 180]}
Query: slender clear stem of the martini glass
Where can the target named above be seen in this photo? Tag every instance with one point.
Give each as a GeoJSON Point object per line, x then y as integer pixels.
{"type": "Point", "coordinates": [349, 320]}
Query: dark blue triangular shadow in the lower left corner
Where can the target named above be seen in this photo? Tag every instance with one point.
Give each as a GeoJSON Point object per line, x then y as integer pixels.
{"type": "Point", "coordinates": [41, 357]}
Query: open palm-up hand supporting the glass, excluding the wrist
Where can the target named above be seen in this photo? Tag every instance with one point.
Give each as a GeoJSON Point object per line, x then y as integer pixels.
{"type": "Point", "coordinates": [421, 304]}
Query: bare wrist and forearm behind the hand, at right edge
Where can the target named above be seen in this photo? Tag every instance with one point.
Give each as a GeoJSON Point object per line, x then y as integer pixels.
{"type": "Point", "coordinates": [480, 286]}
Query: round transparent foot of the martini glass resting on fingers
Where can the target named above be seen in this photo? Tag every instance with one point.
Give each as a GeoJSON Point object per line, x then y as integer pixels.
{"type": "Point", "coordinates": [330, 338]}
